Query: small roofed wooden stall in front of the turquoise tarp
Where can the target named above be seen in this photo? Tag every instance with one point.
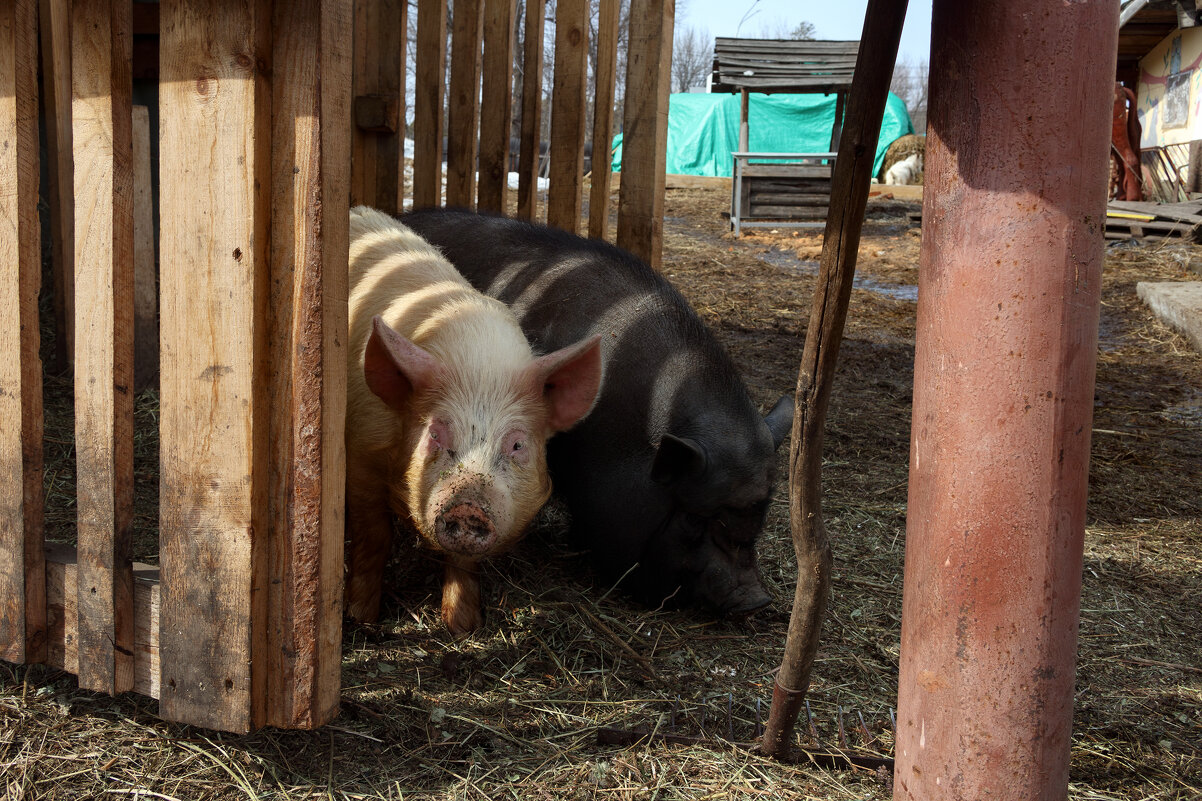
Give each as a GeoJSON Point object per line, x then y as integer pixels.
{"type": "Point", "coordinates": [776, 189]}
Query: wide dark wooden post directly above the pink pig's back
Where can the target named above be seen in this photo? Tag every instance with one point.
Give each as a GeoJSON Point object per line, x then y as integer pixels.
{"type": "Point", "coordinates": [379, 138]}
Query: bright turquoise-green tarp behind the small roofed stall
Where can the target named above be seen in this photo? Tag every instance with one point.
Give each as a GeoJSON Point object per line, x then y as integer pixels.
{"type": "Point", "coordinates": [704, 129]}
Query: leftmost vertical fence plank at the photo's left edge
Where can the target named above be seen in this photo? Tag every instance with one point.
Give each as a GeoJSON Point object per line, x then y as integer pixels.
{"type": "Point", "coordinates": [22, 571]}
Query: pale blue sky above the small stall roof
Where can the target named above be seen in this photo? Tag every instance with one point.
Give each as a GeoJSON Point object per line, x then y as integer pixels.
{"type": "Point", "coordinates": [832, 19]}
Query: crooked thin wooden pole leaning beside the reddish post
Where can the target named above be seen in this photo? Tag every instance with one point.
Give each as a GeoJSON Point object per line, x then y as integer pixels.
{"type": "Point", "coordinates": [849, 197]}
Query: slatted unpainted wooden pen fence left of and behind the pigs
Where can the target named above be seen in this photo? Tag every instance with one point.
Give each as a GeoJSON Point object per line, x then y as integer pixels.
{"type": "Point", "coordinates": [241, 624]}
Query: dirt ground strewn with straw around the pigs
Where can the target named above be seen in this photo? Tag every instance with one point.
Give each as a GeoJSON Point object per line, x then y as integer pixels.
{"type": "Point", "coordinates": [514, 711]}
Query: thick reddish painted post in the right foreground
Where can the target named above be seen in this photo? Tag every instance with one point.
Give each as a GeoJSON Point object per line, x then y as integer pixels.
{"type": "Point", "coordinates": [1016, 176]}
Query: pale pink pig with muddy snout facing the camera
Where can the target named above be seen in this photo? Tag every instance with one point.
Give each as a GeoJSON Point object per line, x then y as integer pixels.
{"type": "Point", "coordinates": [448, 416]}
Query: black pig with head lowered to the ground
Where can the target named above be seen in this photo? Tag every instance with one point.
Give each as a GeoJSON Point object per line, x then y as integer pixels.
{"type": "Point", "coordinates": [669, 479]}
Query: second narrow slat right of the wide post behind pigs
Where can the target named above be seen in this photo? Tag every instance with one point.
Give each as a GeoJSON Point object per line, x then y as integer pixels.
{"type": "Point", "coordinates": [463, 103]}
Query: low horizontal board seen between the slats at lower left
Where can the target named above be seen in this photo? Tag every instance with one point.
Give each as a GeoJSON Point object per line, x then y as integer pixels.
{"type": "Point", "coordinates": [63, 614]}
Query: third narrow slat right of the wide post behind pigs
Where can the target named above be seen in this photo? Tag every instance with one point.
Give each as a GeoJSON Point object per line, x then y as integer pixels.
{"type": "Point", "coordinates": [497, 104]}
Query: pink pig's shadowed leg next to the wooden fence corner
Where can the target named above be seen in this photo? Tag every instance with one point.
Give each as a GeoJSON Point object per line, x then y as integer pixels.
{"type": "Point", "coordinates": [370, 541]}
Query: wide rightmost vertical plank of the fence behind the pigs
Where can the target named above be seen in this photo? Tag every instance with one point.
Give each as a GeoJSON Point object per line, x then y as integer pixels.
{"type": "Point", "coordinates": [646, 129]}
